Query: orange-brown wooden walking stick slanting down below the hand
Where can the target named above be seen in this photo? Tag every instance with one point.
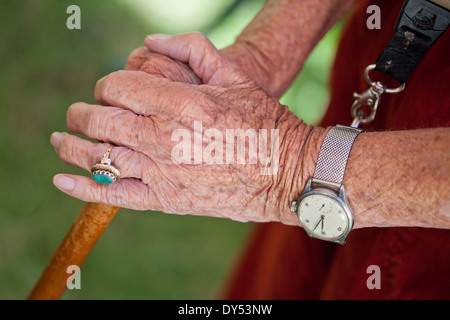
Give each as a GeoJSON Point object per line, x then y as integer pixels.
{"type": "Point", "coordinates": [73, 250]}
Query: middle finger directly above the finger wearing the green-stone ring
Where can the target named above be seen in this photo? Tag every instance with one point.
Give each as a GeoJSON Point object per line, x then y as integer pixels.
{"type": "Point", "coordinates": [113, 125]}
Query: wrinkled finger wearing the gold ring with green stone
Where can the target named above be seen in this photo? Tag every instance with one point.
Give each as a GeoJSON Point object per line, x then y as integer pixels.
{"type": "Point", "coordinates": [84, 154]}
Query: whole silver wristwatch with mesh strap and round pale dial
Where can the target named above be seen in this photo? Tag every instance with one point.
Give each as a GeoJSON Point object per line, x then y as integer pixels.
{"type": "Point", "coordinates": [323, 209]}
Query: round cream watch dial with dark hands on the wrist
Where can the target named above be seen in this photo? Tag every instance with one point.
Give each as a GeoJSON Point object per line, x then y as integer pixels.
{"type": "Point", "coordinates": [323, 217]}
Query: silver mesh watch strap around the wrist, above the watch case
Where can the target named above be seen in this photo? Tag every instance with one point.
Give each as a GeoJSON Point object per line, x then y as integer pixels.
{"type": "Point", "coordinates": [334, 154]}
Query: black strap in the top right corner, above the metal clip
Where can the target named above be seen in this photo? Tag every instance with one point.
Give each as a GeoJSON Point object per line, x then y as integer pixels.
{"type": "Point", "coordinates": [419, 25]}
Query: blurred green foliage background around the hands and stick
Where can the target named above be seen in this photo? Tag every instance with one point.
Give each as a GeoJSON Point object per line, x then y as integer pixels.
{"type": "Point", "coordinates": [45, 67]}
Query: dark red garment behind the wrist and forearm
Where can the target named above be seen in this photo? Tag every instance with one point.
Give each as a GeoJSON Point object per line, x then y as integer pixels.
{"type": "Point", "coordinates": [281, 262]}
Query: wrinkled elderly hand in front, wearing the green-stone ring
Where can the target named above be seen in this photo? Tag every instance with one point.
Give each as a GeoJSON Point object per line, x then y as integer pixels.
{"type": "Point", "coordinates": [145, 115]}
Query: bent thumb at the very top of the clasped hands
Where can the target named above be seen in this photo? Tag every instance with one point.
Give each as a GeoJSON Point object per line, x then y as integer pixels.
{"type": "Point", "coordinates": [200, 54]}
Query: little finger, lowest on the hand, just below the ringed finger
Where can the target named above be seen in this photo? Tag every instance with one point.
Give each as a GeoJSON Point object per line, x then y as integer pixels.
{"type": "Point", "coordinates": [125, 193]}
